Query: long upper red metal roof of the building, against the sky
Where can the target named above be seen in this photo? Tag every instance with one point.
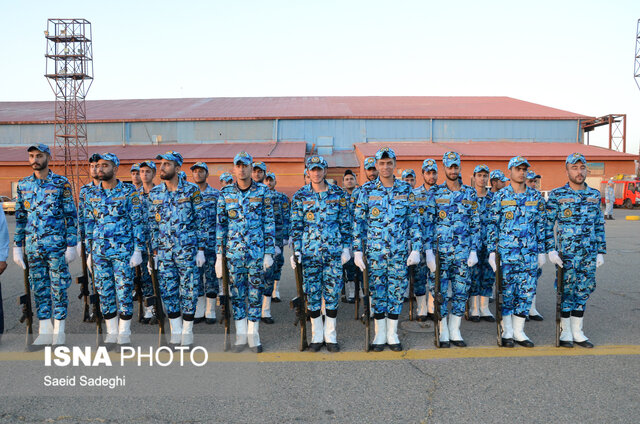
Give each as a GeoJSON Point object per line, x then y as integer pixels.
{"type": "Point", "coordinates": [253, 108]}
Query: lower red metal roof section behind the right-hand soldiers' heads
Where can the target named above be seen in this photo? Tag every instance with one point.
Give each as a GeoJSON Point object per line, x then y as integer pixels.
{"type": "Point", "coordinates": [493, 150]}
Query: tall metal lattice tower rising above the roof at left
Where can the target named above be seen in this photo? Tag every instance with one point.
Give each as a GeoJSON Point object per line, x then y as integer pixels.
{"type": "Point", "coordinates": [69, 71]}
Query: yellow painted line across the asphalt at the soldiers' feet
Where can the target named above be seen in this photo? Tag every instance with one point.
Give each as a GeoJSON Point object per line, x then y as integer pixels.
{"type": "Point", "coordinates": [425, 354]}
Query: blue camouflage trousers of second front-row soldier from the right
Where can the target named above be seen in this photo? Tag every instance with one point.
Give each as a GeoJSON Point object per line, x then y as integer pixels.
{"type": "Point", "coordinates": [519, 286]}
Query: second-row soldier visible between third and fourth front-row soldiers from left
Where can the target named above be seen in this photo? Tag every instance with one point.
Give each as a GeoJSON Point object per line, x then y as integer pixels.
{"type": "Point", "coordinates": [207, 310]}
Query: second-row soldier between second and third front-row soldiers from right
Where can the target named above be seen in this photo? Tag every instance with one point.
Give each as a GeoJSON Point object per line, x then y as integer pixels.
{"type": "Point", "coordinates": [482, 276]}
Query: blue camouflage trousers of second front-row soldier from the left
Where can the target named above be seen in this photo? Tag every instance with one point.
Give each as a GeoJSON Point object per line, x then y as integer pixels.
{"type": "Point", "coordinates": [114, 283]}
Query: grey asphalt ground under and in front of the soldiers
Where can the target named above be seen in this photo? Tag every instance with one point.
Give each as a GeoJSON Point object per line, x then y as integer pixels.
{"type": "Point", "coordinates": [480, 383]}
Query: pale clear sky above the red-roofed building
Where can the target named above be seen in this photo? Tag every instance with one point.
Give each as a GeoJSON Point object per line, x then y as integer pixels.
{"type": "Point", "coordinates": [572, 55]}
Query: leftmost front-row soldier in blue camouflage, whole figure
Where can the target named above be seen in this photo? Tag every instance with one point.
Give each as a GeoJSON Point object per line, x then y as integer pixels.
{"type": "Point", "coordinates": [46, 227]}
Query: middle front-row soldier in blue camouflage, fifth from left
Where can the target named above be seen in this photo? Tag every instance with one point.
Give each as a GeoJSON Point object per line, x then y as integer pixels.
{"type": "Point", "coordinates": [320, 233]}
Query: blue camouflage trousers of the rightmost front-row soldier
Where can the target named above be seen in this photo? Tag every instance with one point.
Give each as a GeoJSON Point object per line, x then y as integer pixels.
{"type": "Point", "coordinates": [579, 281]}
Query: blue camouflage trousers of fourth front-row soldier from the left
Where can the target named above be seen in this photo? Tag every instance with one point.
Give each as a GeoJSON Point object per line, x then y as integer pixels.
{"type": "Point", "coordinates": [246, 279]}
